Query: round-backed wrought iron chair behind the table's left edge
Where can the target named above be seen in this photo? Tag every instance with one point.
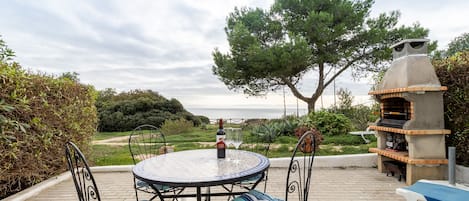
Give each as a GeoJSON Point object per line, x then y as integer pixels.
{"type": "Point", "coordinates": [147, 141]}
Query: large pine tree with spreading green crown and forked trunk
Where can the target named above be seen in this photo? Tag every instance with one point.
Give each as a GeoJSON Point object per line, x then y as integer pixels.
{"type": "Point", "coordinates": [275, 48]}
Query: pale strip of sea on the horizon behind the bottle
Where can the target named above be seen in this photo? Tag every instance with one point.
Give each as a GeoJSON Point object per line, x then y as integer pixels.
{"type": "Point", "coordinates": [246, 113]}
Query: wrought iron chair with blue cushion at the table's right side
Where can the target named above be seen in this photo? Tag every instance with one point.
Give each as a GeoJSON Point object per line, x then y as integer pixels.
{"type": "Point", "coordinates": [299, 172]}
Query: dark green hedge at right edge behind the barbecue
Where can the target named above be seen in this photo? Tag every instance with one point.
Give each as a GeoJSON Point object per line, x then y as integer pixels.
{"type": "Point", "coordinates": [453, 72]}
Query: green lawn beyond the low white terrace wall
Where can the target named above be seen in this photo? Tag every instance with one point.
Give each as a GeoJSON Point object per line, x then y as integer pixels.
{"type": "Point", "coordinates": [282, 147]}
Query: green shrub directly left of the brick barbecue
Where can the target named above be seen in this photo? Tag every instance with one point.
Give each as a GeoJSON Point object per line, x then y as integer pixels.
{"type": "Point", "coordinates": [360, 115]}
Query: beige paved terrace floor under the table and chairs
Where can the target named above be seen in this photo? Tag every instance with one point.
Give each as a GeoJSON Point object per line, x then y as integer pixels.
{"type": "Point", "coordinates": [338, 184]}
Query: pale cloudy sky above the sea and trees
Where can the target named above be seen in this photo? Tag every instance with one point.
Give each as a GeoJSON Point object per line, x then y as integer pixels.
{"type": "Point", "coordinates": [167, 45]}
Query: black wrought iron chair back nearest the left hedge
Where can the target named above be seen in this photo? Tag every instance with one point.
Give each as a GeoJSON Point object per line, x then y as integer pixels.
{"type": "Point", "coordinates": [81, 174]}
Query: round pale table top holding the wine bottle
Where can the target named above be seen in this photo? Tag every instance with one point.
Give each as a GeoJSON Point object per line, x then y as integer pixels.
{"type": "Point", "coordinates": [201, 167]}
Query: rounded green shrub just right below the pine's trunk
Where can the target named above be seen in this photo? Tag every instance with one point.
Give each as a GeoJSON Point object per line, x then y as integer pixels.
{"type": "Point", "coordinates": [328, 123]}
